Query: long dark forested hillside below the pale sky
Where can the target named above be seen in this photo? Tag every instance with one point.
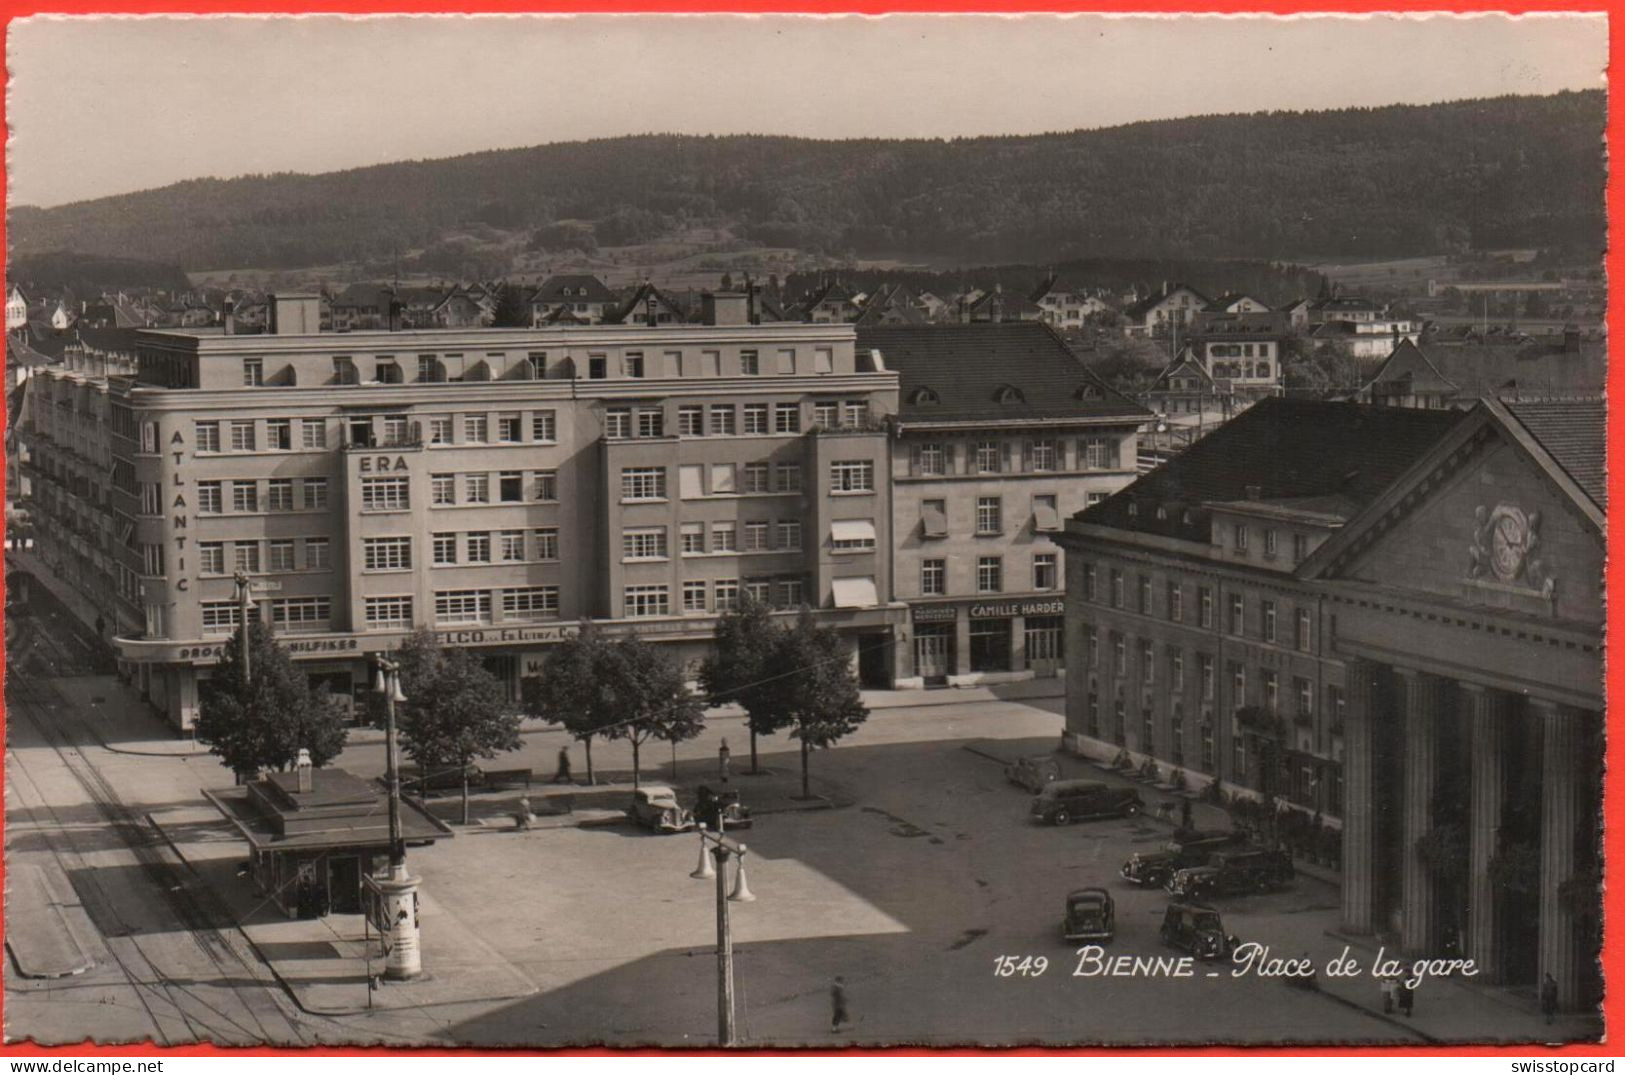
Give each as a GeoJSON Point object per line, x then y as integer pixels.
{"type": "Point", "coordinates": [1393, 181]}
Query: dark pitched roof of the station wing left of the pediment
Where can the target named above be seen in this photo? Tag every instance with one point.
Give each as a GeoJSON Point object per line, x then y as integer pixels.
{"type": "Point", "coordinates": [1286, 449]}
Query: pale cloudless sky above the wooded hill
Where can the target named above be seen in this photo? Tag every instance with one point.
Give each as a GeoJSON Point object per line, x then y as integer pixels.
{"type": "Point", "coordinates": [103, 105]}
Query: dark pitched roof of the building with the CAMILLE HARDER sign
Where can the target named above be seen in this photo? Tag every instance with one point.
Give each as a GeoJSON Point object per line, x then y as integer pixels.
{"type": "Point", "coordinates": [971, 368]}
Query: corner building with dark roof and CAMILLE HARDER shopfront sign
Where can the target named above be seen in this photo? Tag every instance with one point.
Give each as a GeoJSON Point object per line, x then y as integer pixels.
{"type": "Point", "coordinates": [999, 438]}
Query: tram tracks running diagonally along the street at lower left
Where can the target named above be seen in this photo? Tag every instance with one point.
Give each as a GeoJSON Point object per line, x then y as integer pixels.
{"type": "Point", "coordinates": [235, 999]}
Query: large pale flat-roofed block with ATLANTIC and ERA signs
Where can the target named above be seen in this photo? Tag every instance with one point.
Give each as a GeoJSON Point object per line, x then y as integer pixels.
{"type": "Point", "coordinates": [498, 486]}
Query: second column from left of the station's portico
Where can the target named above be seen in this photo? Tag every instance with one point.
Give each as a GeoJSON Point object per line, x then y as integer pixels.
{"type": "Point", "coordinates": [1424, 709]}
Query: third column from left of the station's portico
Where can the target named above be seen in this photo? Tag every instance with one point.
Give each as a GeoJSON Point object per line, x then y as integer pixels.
{"type": "Point", "coordinates": [1489, 714]}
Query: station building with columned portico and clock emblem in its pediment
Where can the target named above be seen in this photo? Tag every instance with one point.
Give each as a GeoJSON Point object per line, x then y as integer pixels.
{"type": "Point", "coordinates": [1389, 616]}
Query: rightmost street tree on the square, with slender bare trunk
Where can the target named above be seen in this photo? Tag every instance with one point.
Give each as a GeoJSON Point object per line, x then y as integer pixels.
{"type": "Point", "coordinates": [818, 689]}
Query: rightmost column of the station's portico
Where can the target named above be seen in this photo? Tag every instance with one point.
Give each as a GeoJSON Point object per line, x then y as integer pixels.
{"type": "Point", "coordinates": [1561, 805]}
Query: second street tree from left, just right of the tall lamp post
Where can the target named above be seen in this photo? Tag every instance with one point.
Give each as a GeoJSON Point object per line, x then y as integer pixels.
{"type": "Point", "coordinates": [454, 710]}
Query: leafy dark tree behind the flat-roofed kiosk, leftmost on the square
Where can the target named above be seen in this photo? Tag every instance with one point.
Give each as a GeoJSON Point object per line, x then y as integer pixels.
{"type": "Point", "coordinates": [261, 720]}
